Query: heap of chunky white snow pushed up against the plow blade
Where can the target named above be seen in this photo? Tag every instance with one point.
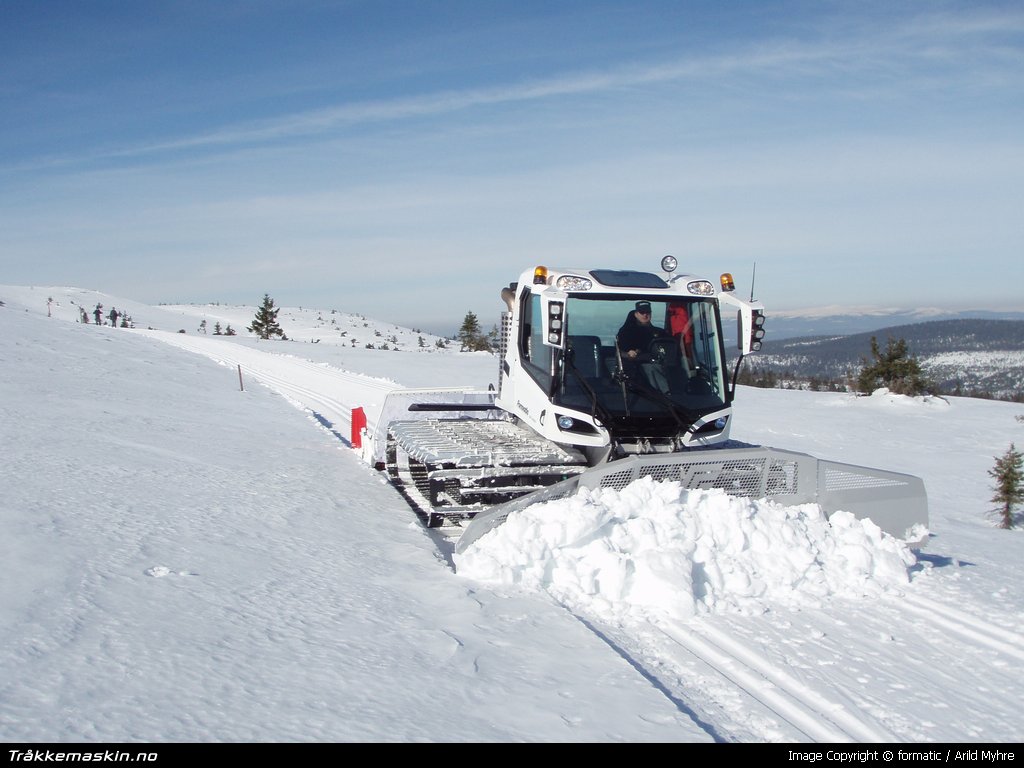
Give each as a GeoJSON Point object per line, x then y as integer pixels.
{"type": "Point", "coordinates": [659, 549]}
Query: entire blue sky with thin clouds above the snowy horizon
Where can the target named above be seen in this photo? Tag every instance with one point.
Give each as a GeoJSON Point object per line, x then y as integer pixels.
{"type": "Point", "coordinates": [407, 160]}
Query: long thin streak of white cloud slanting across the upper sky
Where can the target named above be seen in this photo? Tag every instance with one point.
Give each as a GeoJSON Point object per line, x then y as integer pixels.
{"type": "Point", "coordinates": [930, 38]}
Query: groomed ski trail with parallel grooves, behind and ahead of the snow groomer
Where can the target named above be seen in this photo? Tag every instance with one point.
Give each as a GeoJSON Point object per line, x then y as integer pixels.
{"type": "Point", "coordinates": [724, 671]}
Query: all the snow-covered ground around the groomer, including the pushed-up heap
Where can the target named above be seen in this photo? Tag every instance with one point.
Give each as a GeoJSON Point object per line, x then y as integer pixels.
{"type": "Point", "coordinates": [186, 561]}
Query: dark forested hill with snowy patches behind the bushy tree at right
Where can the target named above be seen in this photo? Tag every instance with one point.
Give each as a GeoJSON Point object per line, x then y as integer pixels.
{"type": "Point", "coordinates": [961, 357]}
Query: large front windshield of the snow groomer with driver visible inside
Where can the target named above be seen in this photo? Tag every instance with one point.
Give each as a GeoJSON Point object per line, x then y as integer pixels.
{"type": "Point", "coordinates": [625, 363]}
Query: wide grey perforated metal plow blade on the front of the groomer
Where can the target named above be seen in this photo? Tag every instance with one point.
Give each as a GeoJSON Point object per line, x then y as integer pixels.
{"type": "Point", "coordinates": [897, 503]}
